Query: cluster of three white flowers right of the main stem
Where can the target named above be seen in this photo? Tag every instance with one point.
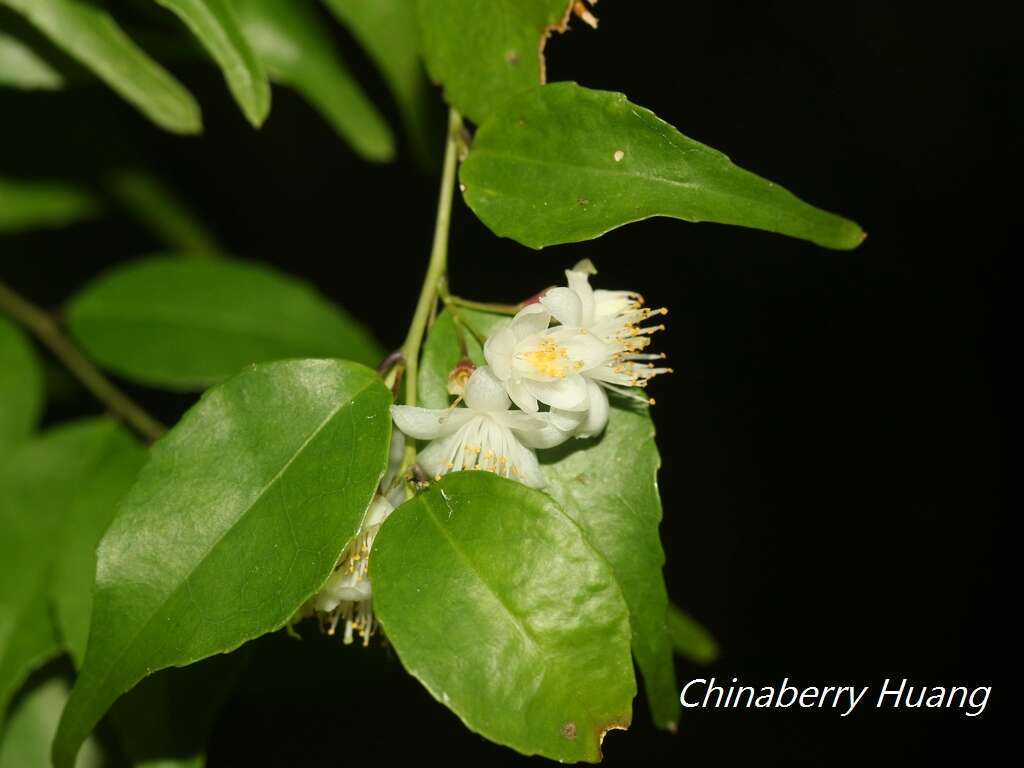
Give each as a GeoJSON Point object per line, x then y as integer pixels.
{"type": "Point", "coordinates": [557, 360]}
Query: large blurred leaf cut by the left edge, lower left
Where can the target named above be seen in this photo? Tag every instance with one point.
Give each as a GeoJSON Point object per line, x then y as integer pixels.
{"type": "Point", "coordinates": [42, 486]}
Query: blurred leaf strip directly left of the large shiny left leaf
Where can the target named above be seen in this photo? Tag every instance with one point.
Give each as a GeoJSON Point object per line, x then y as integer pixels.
{"type": "Point", "coordinates": [116, 460]}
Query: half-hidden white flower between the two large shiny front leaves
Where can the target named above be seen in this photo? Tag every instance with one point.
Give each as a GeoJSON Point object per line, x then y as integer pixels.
{"type": "Point", "coordinates": [348, 594]}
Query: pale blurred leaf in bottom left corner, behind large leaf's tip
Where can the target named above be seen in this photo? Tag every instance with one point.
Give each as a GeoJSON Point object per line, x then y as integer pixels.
{"type": "Point", "coordinates": [26, 743]}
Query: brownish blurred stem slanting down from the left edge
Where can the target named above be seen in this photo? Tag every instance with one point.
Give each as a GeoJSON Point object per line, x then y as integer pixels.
{"type": "Point", "coordinates": [47, 330]}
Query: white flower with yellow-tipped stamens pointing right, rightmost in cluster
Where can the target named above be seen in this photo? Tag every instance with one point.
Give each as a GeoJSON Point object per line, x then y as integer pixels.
{"type": "Point", "coordinates": [615, 318]}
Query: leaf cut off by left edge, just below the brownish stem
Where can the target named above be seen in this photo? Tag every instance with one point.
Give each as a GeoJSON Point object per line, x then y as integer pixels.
{"type": "Point", "coordinates": [21, 388]}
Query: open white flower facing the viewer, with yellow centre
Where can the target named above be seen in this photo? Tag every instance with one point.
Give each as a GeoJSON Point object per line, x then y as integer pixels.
{"type": "Point", "coordinates": [538, 364]}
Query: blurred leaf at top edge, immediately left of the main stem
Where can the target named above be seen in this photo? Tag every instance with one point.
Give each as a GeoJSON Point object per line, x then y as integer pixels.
{"type": "Point", "coordinates": [390, 33]}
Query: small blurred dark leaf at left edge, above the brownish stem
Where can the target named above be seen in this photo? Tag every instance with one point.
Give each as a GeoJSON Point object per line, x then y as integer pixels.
{"type": "Point", "coordinates": [36, 205]}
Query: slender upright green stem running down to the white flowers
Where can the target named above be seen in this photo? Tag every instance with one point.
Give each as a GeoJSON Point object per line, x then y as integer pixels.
{"type": "Point", "coordinates": [436, 273]}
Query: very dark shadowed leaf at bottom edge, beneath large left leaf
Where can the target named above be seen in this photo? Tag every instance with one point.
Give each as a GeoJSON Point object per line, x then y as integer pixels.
{"type": "Point", "coordinates": [166, 720]}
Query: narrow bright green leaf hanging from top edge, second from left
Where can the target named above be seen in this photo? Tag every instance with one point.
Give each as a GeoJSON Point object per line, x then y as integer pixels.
{"type": "Point", "coordinates": [215, 24]}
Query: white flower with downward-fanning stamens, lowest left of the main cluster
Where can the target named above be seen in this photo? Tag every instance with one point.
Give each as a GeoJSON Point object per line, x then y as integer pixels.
{"type": "Point", "coordinates": [484, 436]}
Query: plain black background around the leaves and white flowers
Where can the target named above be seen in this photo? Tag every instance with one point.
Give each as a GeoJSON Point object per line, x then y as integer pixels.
{"type": "Point", "coordinates": [831, 437]}
